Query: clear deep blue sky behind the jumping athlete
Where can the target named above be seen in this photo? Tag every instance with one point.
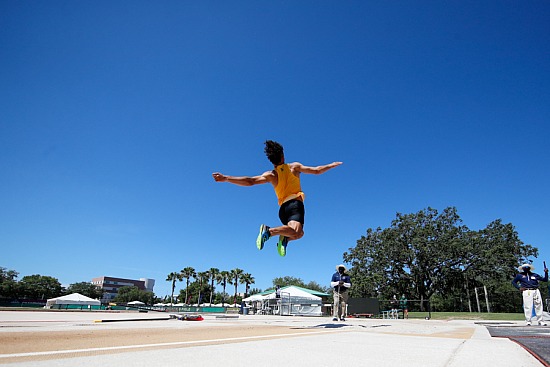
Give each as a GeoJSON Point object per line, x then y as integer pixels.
{"type": "Point", "coordinates": [113, 115]}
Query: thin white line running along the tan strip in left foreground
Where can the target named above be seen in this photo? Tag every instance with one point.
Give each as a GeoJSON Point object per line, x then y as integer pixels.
{"type": "Point", "coordinates": [138, 346]}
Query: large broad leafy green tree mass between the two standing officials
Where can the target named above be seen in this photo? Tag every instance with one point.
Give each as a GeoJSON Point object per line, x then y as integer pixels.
{"type": "Point", "coordinates": [428, 253]}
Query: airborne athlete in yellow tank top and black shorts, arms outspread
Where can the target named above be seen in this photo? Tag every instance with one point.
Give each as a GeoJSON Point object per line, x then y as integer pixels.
{"type": "Point", "coordinates": [285, 179]}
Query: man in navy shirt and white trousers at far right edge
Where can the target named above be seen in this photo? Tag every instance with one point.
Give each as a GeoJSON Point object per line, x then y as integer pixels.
{"type": "Point", "coordinates": [528, 284]}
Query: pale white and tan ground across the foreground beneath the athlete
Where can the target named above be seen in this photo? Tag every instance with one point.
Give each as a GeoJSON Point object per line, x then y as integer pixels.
{"type": "Point", "coordinates": [77, 339]}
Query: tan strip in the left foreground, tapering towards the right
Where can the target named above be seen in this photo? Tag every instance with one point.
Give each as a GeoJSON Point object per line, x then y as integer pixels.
{"type": "Point", "coordinates": [25, 346]}
